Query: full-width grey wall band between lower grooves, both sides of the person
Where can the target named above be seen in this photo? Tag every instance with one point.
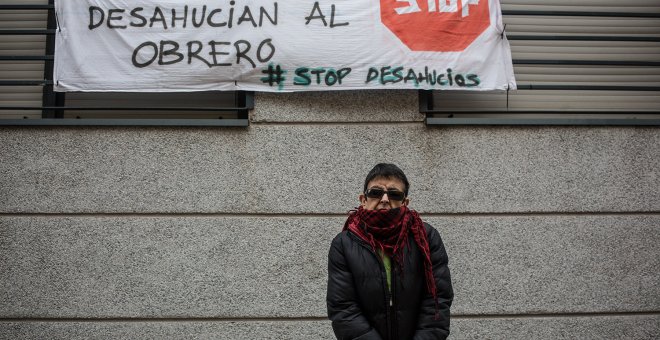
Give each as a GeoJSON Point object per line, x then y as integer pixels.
{"type": "Point", "coordinates": [216, 266]}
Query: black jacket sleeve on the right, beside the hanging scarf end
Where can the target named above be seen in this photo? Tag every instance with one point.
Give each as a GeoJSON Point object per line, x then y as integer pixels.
{"type": "Point", "coordinates": [428, 326]}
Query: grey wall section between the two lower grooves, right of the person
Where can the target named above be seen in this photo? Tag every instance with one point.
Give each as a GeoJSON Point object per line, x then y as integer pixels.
{"type": "Point", "coordinates": [553, 264]}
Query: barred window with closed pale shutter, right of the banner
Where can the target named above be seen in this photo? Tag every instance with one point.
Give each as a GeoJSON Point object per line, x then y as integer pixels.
{"type": "Point", "coordinates": [593, 57]}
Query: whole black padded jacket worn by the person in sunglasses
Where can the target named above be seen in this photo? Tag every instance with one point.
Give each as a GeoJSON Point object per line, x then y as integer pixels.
{"type": "Point", "coordinates": [360, 305]}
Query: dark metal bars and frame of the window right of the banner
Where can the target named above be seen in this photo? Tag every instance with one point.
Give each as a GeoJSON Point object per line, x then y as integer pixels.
{"type": "Point", "coordinates": [427, 105]}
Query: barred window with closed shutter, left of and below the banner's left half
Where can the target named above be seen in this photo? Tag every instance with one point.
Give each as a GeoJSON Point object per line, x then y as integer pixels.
{"type": "Point", "coordinates": [26, 96]}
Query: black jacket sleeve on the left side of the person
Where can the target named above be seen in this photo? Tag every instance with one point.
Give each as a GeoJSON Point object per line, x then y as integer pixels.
{"type": "Point", "coordinates": [348, 322]}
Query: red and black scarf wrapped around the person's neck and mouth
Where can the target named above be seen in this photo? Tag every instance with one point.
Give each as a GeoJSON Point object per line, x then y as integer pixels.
{"type": "Point", "coordinates": [388, 230]}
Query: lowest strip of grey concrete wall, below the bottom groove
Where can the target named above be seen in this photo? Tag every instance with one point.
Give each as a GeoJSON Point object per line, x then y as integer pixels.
{"type": "Point", "coordinates": [538, 328]}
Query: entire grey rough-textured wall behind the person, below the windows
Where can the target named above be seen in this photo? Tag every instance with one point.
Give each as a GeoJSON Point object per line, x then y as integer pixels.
{"type": "Point", "coordinates": [189, 233]}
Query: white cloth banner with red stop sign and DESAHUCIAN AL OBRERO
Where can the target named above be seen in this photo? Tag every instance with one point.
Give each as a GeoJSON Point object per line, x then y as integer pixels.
{"type": "Point", "coordinates": [265, 45]}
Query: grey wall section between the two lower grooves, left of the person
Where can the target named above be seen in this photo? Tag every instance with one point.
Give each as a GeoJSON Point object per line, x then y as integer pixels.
{"type": "Point", "coordinates": [162, 267]}
